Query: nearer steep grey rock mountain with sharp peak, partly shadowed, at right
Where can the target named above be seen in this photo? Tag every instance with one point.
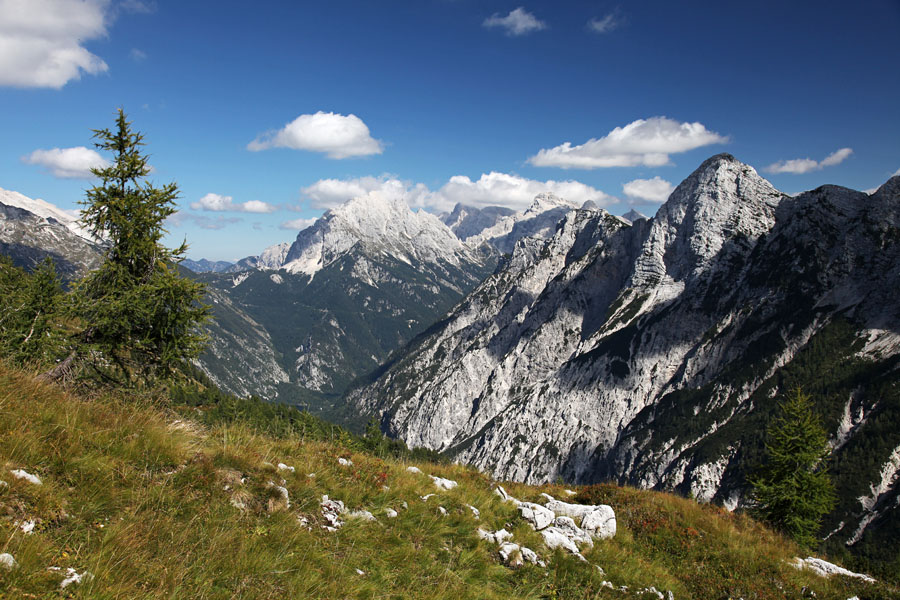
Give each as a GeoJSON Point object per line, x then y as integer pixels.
{"type": "Point", "coordinates": [653, 353]}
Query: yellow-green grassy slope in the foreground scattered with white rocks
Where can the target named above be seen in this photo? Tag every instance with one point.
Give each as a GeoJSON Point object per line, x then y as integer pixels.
{"type": "Point", "coordinates": [137, 497]}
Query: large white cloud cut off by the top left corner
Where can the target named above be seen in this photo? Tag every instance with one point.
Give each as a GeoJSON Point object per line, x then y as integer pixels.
{"type": "Point", "coordinates": [41, 41]}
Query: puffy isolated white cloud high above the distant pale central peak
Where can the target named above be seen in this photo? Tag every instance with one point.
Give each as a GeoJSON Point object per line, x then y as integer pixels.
{"type": "Point", "coordinates": [335, 135]}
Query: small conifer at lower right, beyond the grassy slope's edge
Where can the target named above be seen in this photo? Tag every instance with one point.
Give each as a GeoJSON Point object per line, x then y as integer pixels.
{"type": "Point", "coordinates": [793, 490]}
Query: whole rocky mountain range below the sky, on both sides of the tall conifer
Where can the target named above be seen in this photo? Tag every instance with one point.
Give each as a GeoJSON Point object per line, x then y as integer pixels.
{"type": "Point", "coordinates": [567, 343]}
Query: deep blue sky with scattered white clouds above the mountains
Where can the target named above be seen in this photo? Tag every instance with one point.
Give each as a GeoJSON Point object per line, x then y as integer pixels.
{"type": "Point", "coordinates": [291, 107]}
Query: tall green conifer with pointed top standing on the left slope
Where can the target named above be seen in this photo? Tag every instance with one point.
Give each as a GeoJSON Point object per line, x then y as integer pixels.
{"type": "Point", "coordinates": [141, 315]}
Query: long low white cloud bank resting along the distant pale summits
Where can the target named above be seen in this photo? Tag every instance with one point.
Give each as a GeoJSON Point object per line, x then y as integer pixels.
{"type": "Point", "coordinates": [491, 189]}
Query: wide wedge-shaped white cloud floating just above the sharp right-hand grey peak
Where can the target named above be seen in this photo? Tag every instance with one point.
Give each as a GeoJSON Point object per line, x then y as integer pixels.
{"type": "Point", "coordinates": [646, 142]}
